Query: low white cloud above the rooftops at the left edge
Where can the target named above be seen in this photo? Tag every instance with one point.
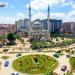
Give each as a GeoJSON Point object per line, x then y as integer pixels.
{"type": "Point", "coordinates": [10, 19]}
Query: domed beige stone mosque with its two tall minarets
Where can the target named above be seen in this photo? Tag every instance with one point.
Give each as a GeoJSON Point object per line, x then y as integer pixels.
{"type": "Point", "coordinates": [37, 31]}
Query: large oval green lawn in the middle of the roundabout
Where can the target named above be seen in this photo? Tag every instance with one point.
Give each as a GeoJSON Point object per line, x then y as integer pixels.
{"type": "Point", "coordinates": [35, 64]}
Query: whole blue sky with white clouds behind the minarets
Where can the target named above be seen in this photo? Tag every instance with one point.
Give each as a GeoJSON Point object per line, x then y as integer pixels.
{"type": "Point", "coordinates": [18, 9]}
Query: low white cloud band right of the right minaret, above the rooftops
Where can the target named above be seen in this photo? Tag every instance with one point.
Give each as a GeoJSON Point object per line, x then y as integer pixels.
{"type": "Point", "coordinates": [66, 17]}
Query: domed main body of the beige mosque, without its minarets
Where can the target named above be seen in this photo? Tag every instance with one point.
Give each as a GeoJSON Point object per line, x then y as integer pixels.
{"type": "Point", "coordinates": [38, 32]}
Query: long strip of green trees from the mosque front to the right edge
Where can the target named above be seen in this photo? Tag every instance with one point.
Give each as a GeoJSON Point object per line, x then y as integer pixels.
{"type": "Point", "coordinates": [51, 43]}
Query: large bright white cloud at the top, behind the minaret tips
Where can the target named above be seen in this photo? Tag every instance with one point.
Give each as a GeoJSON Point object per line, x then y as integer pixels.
{"type": "Point", "coordinates": [43, 4]}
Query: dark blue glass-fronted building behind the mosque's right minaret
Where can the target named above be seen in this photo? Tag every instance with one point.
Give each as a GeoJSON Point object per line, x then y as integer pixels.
{"type": "Point", "coordinates": [55, 25]}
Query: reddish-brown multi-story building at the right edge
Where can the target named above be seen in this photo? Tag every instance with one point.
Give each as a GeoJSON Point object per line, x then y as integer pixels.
{"type": "Point", "coordinates": [68, 27]}
